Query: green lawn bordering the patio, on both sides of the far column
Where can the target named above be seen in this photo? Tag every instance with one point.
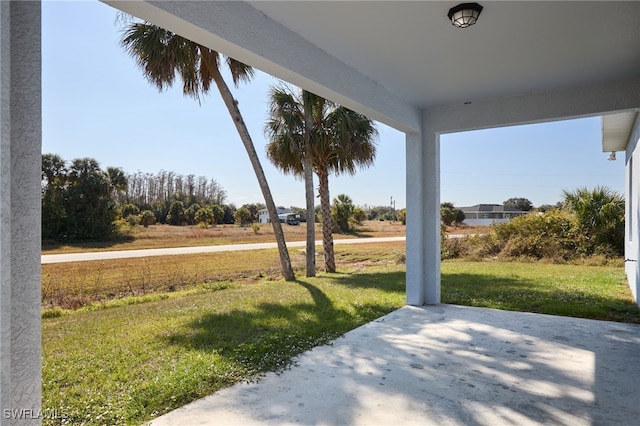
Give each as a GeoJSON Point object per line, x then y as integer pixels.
{"type": "Point", "coordinates": [125, 363]}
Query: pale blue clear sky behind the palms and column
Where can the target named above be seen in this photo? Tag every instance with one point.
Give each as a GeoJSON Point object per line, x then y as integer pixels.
{"type": "Point", "coordinates": [97, 104]}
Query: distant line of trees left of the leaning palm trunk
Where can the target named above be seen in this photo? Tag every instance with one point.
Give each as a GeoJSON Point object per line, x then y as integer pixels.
{"type": "Point", "coordinates": [83, 202]}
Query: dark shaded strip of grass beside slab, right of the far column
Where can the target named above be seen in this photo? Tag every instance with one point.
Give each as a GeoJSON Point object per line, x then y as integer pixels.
{"type": "Point", "coordinates": [518, 294]}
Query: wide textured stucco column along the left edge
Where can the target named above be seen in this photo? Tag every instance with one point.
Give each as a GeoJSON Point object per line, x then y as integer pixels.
{"type": "Point", "coordinates": [20, 171]}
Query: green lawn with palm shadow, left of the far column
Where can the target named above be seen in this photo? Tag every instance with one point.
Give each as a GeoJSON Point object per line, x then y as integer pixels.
{"type": "Point", "coordinates": [127, 364]}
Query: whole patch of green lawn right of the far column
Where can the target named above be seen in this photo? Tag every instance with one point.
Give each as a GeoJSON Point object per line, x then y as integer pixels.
{"type": "Point", "coordinates": [570, 290]}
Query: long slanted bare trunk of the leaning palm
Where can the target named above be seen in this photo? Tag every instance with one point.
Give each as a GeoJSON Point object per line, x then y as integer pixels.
{"type": "Point", "coordinates": [232, 106]}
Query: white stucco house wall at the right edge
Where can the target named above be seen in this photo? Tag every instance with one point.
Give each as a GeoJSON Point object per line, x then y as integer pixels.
{"type": "Point", "coordinates": [632, 222]}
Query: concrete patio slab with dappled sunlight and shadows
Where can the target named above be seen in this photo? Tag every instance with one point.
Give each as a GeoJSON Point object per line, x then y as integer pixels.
{"type": "Point", "coordinates": [446, 365]}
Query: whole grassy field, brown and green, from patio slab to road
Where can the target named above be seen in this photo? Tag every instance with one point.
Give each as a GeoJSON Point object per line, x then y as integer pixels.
{"type": "Point", "coordinates": [127, 340]}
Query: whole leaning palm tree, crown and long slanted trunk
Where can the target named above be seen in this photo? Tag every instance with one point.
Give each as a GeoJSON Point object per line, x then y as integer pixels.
{"type": "Point", "coordinates": [162, 55]}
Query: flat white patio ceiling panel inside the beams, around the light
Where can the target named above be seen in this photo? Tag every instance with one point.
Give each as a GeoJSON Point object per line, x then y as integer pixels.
{"type": "Point", "coordinates": [412, 49]}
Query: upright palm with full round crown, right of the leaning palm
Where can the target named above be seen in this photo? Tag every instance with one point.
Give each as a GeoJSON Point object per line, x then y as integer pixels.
{"type": "Point", "coordinates": [334, 139]}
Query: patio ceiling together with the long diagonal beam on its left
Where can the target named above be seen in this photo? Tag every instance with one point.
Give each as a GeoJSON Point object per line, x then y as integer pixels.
{"type": "Point", "coordinates": [393, 59]}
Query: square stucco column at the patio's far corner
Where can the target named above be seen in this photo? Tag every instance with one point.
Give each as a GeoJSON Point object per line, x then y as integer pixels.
{"type": "Point", "coordinates": [423, 218]}
